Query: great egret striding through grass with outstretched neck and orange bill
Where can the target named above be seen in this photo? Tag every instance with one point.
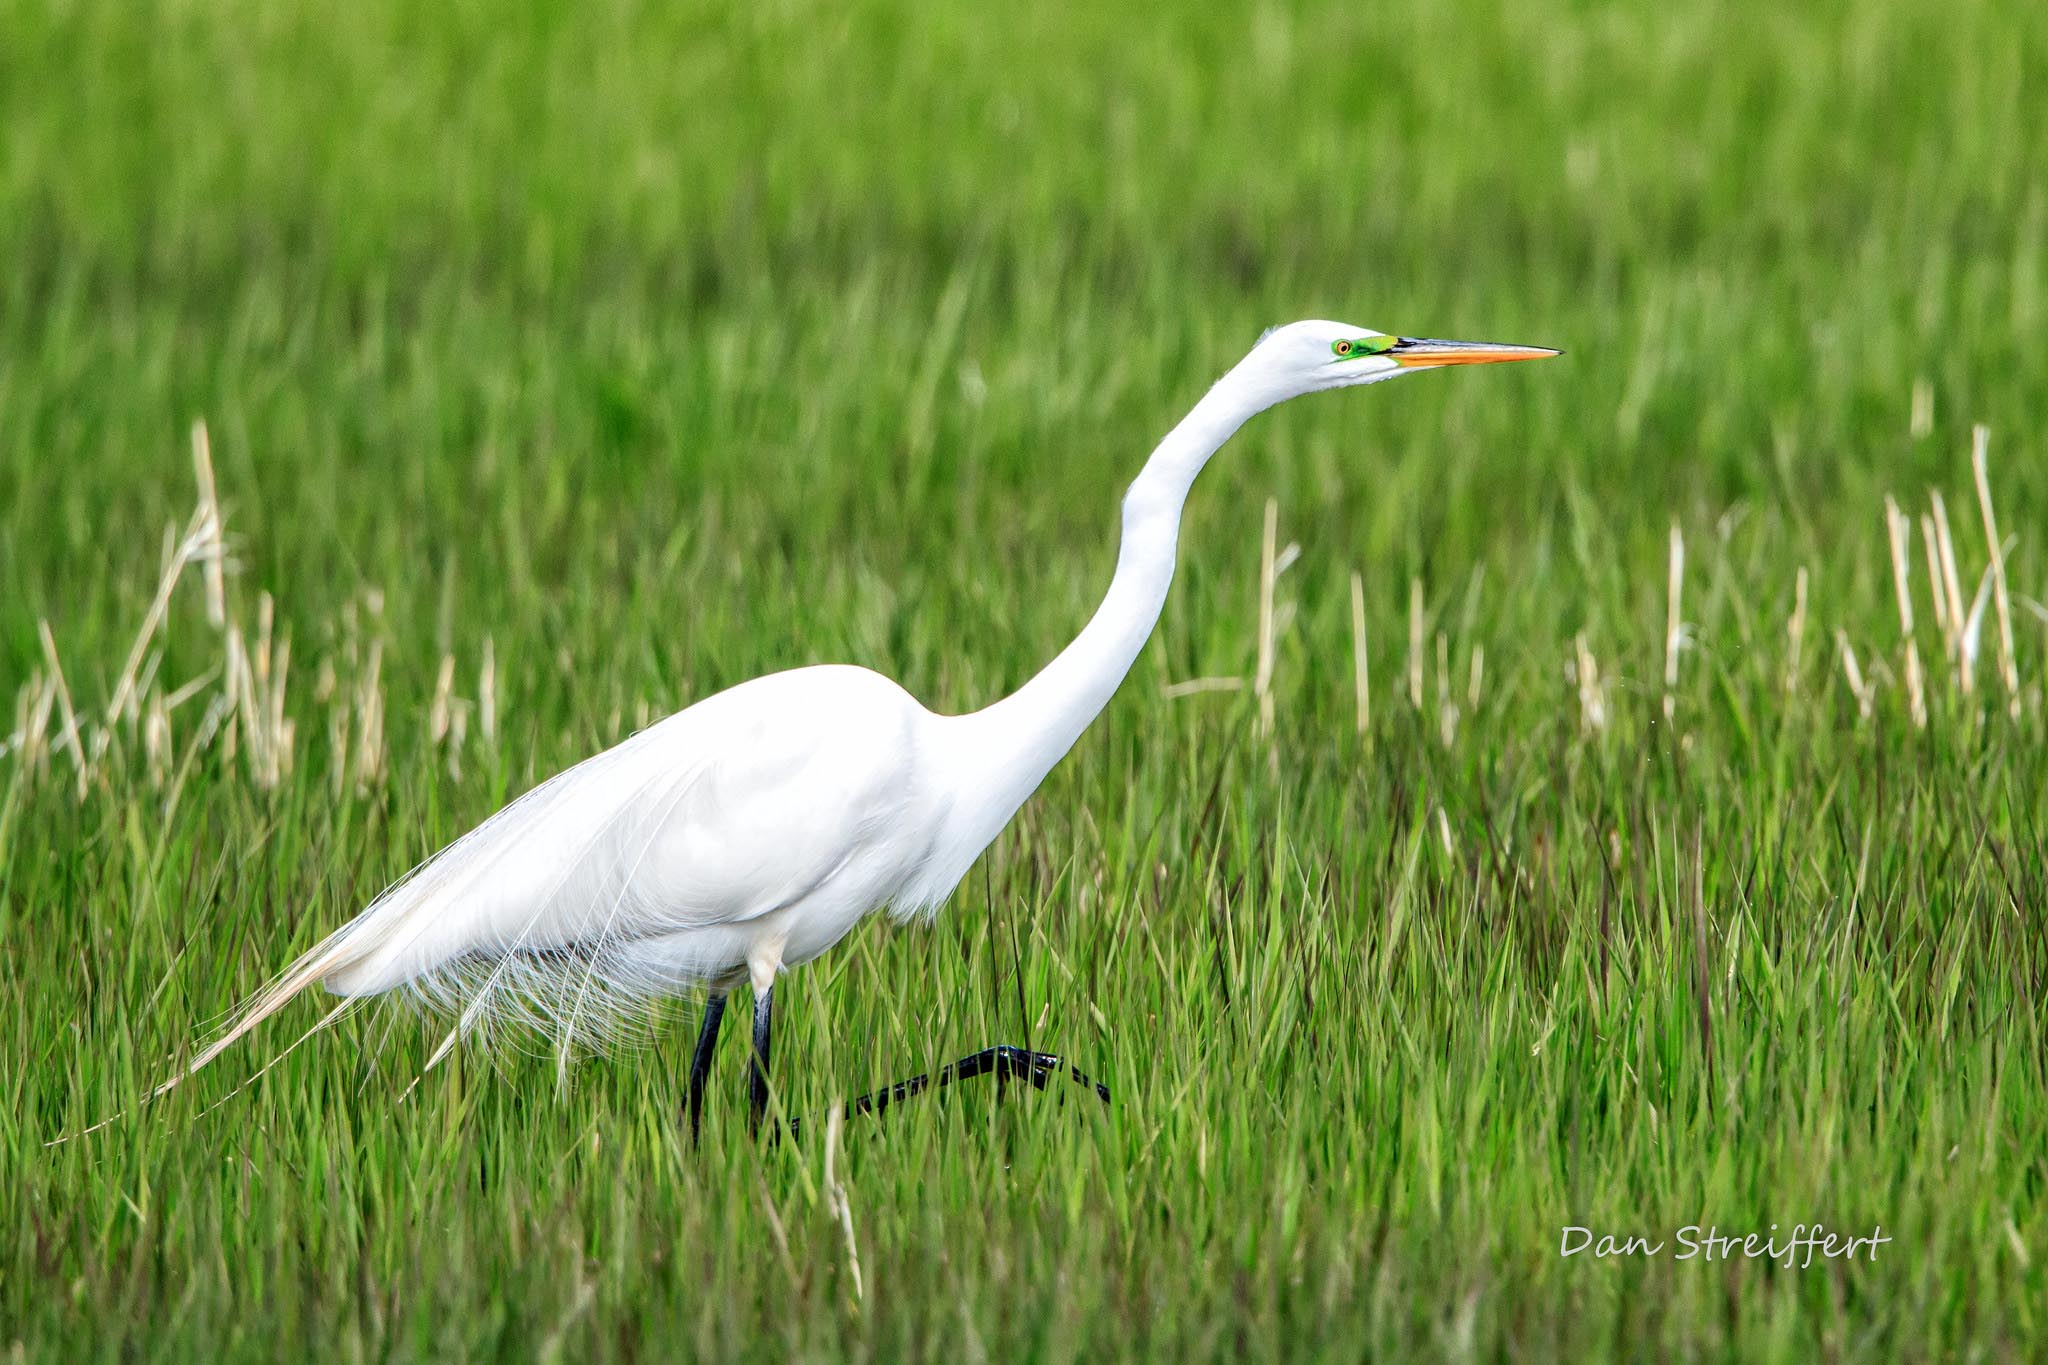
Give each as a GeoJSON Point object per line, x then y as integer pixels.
{"type": "Point", "coordinates": [751, 832]}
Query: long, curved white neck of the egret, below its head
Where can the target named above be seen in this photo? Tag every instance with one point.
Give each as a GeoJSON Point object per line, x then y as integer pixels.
{"type": "Point", "coordinates": [1017, 742]}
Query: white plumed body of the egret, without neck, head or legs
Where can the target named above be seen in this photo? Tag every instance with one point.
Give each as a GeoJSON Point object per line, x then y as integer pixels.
{"type": "Point", "coordinates": [738, 838]}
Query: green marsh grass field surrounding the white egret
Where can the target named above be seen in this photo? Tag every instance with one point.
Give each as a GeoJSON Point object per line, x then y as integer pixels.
{"type": "Point", "coordinates": [568, 363]}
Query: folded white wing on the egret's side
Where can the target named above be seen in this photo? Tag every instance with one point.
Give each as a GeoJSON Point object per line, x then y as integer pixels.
{"type": "Point", "coordinates": [718, 816]}
